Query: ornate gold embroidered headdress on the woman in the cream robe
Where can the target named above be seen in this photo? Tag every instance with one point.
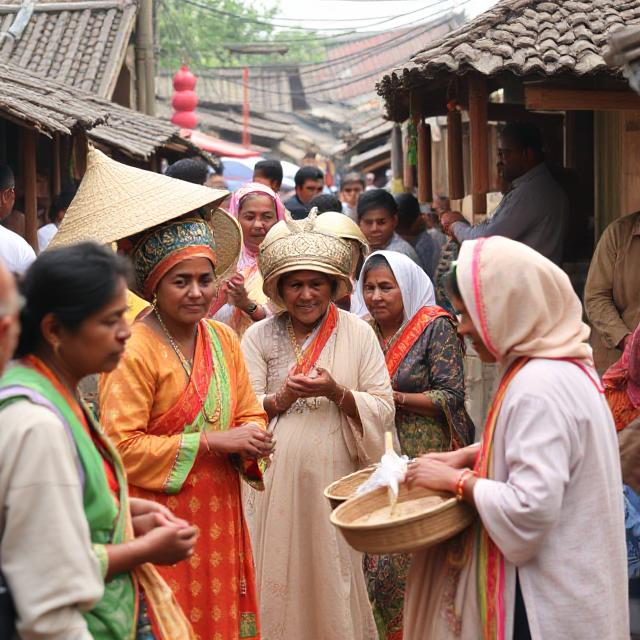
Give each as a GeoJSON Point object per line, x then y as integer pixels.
{"type": "Point", "coordinates": [296, 245]}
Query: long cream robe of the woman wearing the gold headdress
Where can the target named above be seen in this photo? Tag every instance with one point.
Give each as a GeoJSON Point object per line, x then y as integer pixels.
{"type": "Point", "coordinates": [310, 582]}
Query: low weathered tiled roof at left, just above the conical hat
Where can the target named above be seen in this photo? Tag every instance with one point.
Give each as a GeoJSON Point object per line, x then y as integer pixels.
{"type": "Point", "coordinates": [52, 107]}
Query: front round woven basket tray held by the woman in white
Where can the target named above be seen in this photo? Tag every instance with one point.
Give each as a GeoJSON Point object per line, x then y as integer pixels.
{"type": "Point", "coordinates": [422, 518]}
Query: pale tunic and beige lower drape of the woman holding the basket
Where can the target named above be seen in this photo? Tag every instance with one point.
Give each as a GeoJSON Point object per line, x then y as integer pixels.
{"type": "Point", "coordinates": [554, 509]}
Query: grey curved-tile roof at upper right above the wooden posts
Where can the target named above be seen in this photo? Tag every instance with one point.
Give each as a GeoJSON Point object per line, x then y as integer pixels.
{"type": "Point", "coordinates": [524, 37]}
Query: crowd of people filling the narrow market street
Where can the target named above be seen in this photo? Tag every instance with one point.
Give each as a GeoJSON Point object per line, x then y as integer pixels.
{"type": "Point", "coordinates": [247, 350]}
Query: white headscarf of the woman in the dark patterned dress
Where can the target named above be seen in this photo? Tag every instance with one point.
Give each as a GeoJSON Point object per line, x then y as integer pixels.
{"type": "Point", "coordinates": [415, 285]}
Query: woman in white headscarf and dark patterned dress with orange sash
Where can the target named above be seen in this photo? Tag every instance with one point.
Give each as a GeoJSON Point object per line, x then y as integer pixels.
{"type": "Point", "coordinates": [424, 358]}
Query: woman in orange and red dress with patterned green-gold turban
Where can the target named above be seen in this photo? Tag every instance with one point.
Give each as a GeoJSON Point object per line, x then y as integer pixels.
{"type": "Point", "coordinates": [182, 413]}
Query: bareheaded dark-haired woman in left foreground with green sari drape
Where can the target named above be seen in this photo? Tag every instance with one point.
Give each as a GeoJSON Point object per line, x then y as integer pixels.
{"type": "Point", "coordinates": [75, 549]}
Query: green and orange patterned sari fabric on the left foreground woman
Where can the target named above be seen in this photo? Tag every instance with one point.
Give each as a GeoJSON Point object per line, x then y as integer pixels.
{"type": "Point", "coordinates": [128, 598]}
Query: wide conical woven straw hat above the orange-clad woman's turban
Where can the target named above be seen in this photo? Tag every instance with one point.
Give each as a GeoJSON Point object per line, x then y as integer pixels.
{"type": "Point", "coordinates": [116, 201]}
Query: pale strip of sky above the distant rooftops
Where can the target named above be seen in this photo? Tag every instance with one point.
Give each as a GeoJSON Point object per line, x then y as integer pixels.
{"type": "Point", "coordinates": [363, 14]}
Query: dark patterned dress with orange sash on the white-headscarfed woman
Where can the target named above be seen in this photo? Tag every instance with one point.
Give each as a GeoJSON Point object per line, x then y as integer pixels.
{"type": "Point", "coordinates": [430, 363]}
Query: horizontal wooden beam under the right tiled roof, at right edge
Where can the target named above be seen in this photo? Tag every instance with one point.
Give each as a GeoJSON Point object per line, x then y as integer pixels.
{"type": "Point", "coordinates": [558, 99]}
